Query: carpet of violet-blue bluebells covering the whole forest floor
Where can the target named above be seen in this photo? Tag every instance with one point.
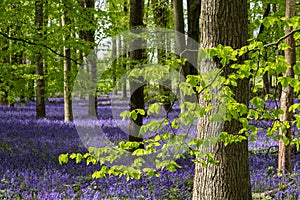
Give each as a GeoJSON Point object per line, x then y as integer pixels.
{"type": "Point", "coordinates": [29, 169]}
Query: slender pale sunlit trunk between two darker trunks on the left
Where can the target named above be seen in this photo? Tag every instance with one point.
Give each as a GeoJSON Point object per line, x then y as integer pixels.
{"type": "Point", "coordinates": [68, 113]}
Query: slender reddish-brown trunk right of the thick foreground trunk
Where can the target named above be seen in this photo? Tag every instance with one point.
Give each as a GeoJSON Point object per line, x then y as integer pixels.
{"type": "Point", "coordinates": [287, 95]}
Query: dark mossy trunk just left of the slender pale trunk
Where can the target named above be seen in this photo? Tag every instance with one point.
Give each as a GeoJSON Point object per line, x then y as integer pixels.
{"type": "Point", "coordinates": [40, 80]}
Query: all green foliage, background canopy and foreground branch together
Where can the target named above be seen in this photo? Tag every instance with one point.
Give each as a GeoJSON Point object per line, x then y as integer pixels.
{"type": "Point", "coordinates": [263, 58]}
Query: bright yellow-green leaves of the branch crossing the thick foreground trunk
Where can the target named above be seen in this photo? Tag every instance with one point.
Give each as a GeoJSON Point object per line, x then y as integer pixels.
{"type": "Point", "coordinates": [230, 110]}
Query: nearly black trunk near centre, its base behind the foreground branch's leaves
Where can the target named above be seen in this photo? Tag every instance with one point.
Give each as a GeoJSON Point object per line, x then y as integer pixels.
{"type": "Point", "coordinates": [136, 56]}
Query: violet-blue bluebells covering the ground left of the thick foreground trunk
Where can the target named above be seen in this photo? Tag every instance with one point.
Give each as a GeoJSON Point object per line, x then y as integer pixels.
{"type": "Point", "coordinates": [30, 170]}
